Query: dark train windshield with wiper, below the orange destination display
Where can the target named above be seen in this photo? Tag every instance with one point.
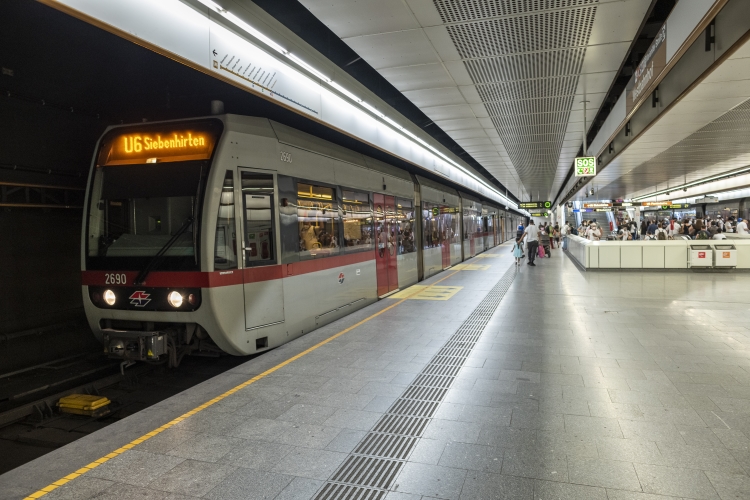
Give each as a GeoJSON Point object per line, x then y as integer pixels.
{"type": "Point", "coordinates": [135, 211]}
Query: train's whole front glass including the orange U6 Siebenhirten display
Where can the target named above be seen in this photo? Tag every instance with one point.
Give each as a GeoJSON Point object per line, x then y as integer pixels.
{"type": "Point", "coordinates": [147, 190]}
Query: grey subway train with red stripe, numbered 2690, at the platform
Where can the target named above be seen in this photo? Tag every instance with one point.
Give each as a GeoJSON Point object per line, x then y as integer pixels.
{"type": "Point", "coordinates": [236, 234]}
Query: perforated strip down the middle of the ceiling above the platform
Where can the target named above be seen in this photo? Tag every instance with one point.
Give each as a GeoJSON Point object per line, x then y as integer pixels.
{"type": "Point", "coordinates": [525, 68]}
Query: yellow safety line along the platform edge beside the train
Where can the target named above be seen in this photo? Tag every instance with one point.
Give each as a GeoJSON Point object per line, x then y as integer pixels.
{"type": "Point", "coordinates": [157, 431]}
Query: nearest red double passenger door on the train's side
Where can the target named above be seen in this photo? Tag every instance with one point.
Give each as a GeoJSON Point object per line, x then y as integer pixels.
{"type": "Point", "coordinates": [386, 227]}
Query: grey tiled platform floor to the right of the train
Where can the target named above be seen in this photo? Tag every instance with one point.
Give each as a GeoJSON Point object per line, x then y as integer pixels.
{"type": "Point", "coordinates": [627, 386]}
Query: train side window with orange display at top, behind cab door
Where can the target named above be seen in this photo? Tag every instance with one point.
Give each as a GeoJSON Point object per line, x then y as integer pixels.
{"type": "Point", "coordinates": [318, 220]}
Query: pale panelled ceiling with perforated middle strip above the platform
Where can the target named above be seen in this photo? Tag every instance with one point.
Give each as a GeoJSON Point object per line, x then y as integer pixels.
{"type": "Point", "coordinates": [506, 80]}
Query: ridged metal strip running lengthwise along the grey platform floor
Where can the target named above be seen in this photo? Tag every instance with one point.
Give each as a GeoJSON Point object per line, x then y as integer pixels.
{"type": "Point", "coordinates": [369, 471]}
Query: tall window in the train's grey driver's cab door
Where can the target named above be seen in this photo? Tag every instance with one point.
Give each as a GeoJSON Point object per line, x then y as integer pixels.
{"type": "Point", "coordinates": [258, 207]}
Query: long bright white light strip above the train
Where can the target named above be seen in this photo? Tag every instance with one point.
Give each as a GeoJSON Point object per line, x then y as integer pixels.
{"type": "Point", "coordinates": [360, 103]}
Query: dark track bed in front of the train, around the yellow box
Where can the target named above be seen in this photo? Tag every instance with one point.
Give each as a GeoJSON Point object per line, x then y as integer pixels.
{"type": "Point", "coordinates": [31, 425]}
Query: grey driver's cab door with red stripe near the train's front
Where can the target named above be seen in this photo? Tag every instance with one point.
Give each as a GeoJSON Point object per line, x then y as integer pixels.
{"type": "Point", "coordinates": [263, 287]}
